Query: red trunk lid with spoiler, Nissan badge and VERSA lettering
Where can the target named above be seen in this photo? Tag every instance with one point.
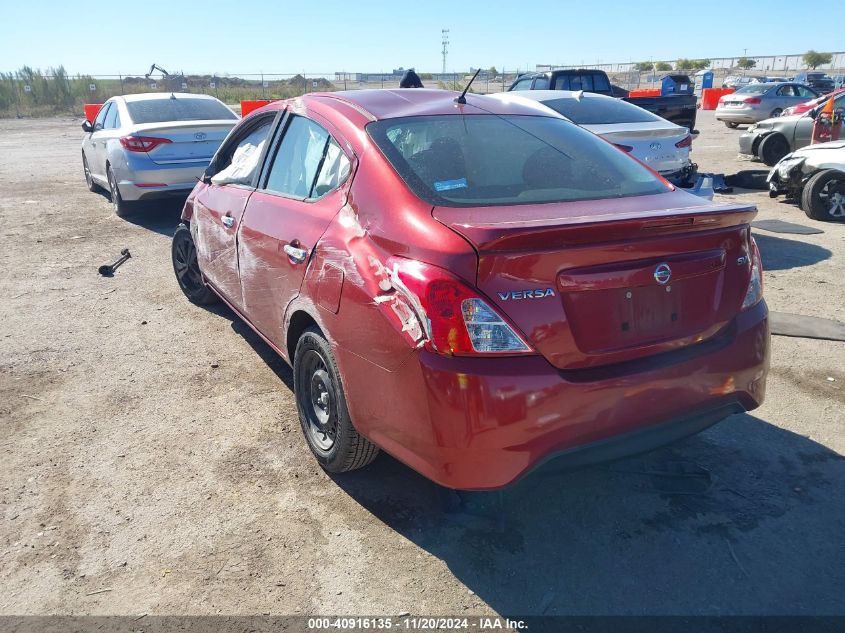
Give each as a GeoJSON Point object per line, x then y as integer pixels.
{"type": "Point", "coordinates": [604, 281]}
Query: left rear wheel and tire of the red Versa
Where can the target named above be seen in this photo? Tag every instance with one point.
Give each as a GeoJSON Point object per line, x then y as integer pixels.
{"type": "Point", "coordinates": [321, 404]}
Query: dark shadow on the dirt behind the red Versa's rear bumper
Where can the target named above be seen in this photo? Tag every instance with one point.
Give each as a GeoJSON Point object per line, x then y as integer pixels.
{"type": "Point", "coordinates": [763, 535]}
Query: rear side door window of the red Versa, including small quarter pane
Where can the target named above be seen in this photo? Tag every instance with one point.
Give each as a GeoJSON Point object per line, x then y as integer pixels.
{"type": "Point", "coordinates": [308, 162]}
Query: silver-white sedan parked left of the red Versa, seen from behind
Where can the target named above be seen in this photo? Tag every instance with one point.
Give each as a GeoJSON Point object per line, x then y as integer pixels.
{"type": "Point", "coordinates": [151, 146]}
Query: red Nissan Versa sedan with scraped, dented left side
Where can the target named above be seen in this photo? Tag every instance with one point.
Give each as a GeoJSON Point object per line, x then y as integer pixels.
{"type": "Point", "coordinates": [475, 287]}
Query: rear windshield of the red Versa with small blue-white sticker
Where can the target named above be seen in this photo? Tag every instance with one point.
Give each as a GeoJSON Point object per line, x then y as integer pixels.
{"type": "Point", "coordinates": [489, 160]}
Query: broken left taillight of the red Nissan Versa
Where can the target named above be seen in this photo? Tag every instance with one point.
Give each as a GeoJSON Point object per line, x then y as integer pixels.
{"type": "Point", "coordinates": [455, 318]}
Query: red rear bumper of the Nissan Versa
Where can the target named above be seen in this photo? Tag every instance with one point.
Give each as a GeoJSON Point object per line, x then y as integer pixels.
{"type": "Point", "coordinates": [483, 423]}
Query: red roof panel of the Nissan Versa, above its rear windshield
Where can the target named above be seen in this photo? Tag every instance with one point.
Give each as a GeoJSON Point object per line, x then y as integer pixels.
{"type": "Point", "coordinates": [391, 104]}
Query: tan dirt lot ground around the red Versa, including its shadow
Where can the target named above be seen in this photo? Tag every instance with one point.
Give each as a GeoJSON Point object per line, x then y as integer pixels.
{"type": "Point", "coordinates": [151, 448]}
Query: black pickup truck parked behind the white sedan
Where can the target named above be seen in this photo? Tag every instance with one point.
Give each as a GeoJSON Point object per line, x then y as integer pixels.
{"type": "Point", "coordinates": [679, 109]}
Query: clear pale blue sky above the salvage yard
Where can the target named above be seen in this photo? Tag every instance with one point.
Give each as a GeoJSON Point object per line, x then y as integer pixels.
{"type": "Point", "coordinates": [325, 36]}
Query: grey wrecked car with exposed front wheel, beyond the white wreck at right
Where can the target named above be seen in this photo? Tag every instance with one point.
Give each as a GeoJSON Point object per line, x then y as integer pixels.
{"type": "Point", "coordinates": [772, 139]}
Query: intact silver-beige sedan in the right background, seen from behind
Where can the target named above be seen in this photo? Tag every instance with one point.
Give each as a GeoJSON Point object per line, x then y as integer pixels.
{"type": "Point", "coordinates": [760, 101]}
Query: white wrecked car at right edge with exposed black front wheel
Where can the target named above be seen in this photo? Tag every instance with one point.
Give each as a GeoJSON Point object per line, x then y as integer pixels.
{"type": "Point", "coordinates": [814, 176]}
